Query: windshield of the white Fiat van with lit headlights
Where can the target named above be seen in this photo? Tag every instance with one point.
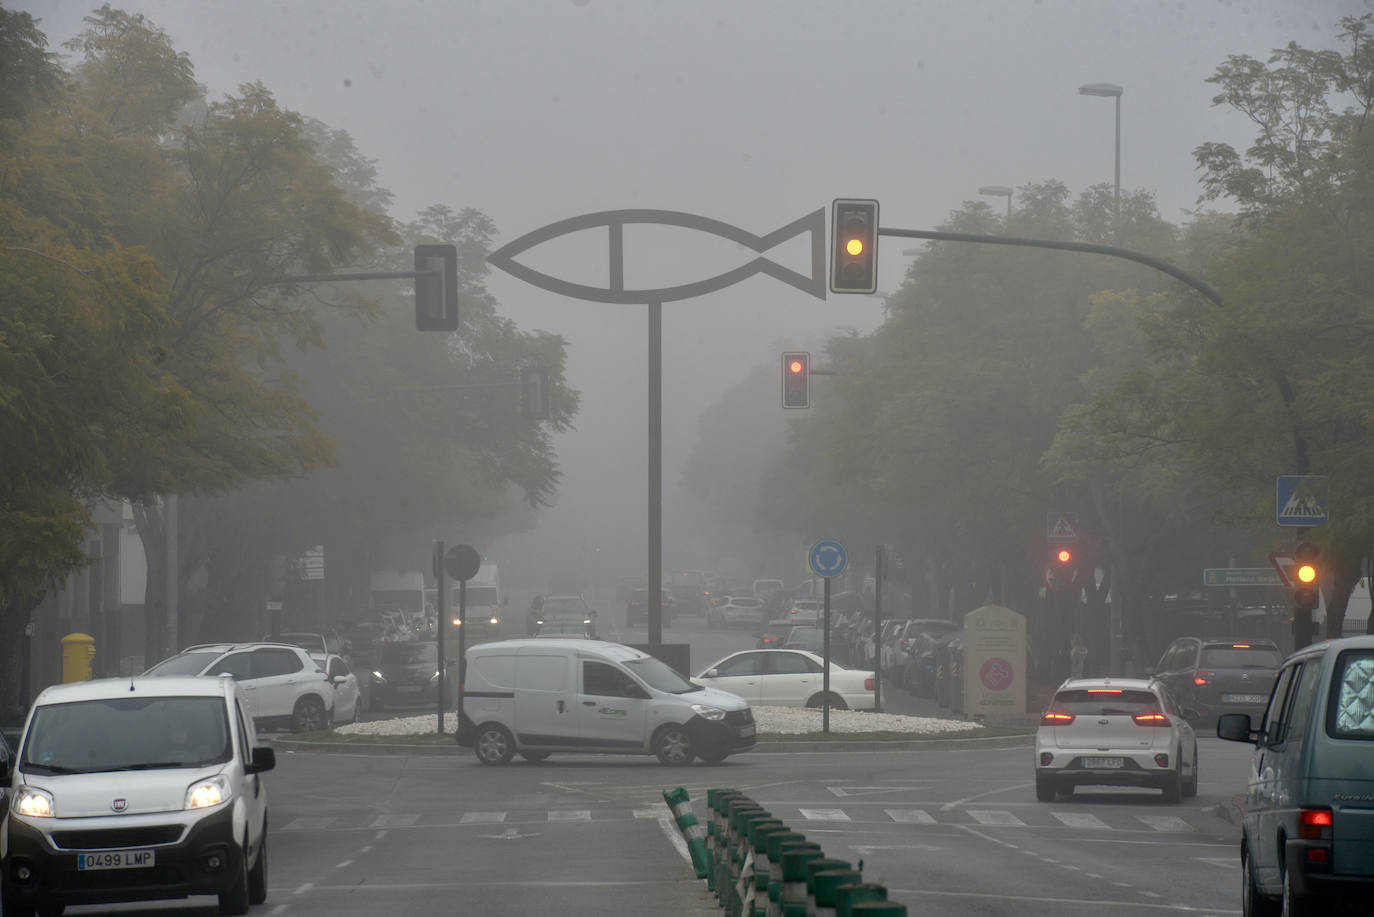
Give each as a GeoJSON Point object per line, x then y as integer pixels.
{"type": "Point", "coordinates": [127, 733]}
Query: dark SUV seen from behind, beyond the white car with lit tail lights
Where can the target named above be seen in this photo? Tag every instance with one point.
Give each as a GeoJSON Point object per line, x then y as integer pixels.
{"type": "Point", "coordinates": [1219, 676]}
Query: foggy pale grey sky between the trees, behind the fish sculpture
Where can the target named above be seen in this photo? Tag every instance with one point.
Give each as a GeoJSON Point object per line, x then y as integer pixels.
{"type": "Point", "coordinates": [750, 113]}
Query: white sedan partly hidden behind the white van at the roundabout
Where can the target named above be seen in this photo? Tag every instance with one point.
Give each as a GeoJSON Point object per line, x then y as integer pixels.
{"type": "Point", "coordinates": [788, 678]}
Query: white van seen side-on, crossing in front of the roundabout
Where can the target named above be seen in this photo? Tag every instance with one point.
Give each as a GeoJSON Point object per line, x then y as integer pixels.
{"type": "Point", "coordinates": [543, 696]}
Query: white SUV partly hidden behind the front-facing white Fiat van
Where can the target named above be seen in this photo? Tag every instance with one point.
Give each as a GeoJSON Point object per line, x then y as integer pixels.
{"type": "Point", "coordinates": [284, 687]}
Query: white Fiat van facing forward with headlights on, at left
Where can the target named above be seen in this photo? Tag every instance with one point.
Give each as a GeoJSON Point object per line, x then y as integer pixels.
{"type": "Point", "coordinates": [135, 790]}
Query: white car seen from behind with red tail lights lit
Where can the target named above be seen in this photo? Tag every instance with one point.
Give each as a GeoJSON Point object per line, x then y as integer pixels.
{"type": "Point", "coordinates": [1115, 732]}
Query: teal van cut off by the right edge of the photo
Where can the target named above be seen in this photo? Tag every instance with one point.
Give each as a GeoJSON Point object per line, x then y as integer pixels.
{"type": "Point", "coordinates": [1307, 843]}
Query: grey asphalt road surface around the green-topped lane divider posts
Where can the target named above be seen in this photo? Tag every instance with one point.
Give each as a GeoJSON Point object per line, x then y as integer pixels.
{"type": "Point", "coordinates": [953, 831]}
